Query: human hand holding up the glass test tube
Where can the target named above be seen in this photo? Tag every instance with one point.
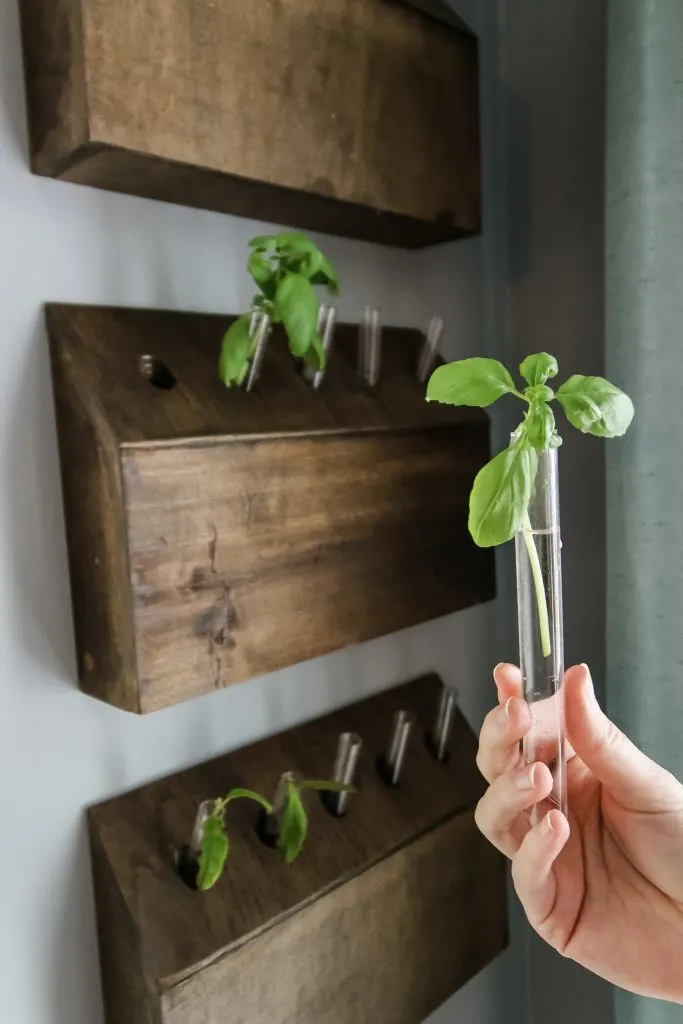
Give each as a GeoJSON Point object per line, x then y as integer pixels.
{"type": "Point", "coordinates": [605, 888]}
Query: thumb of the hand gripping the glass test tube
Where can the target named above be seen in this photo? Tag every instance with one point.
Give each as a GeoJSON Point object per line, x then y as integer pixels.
{"type": "Point", "coordinates": [629, 776]}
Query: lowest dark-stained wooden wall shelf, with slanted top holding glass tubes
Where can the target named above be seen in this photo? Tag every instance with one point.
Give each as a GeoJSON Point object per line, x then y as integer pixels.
{"type": "Point", "coordinates": [391, 909]}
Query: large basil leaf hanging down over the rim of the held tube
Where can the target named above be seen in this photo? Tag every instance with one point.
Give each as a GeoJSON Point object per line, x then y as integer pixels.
{"type": "Point", "coordinates": [501, 494]}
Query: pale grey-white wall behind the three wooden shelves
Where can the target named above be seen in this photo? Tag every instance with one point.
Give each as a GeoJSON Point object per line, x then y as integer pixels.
{"type": "Point", "coordinates": [60, 750]}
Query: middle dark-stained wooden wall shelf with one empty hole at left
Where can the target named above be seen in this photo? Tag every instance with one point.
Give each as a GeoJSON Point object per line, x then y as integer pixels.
{"type": "Point", "coordinates": [217, 535]}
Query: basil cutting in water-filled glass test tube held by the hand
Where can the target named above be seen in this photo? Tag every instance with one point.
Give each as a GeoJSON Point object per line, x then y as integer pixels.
{"type": "Point", "coordinates": [516, 496]}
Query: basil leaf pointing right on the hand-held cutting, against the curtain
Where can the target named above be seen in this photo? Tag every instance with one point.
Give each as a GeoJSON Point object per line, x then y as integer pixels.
{"type": "Point", "coordinates": [595, 407]}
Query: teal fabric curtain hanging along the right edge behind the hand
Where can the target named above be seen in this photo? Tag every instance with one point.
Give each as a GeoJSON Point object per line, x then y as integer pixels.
{"type": "Point", "coordinates": [645, 355]}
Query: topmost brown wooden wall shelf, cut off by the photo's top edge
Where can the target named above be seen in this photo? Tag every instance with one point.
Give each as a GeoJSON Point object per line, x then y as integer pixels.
{"type": "Point", "coordinates": [357, 118]}
